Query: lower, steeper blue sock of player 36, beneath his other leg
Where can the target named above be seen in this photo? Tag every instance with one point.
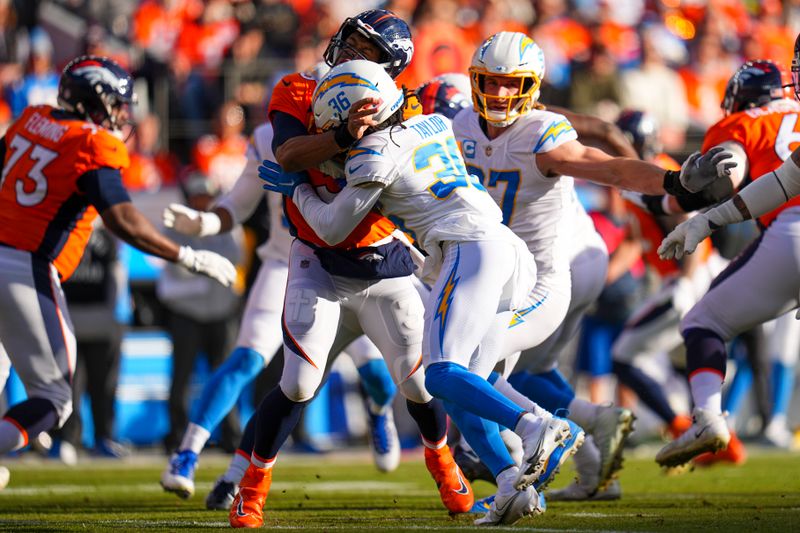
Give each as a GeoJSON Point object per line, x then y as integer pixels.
{"type": "Point", "coordinates": [484, 437]}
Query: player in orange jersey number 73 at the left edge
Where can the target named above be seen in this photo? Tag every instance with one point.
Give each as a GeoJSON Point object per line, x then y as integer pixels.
{"type": "Point", "coordinates": [61, 167]}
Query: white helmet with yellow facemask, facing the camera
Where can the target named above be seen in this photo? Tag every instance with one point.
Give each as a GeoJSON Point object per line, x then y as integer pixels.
{"type": "Point", "coordinates": [509, 55]}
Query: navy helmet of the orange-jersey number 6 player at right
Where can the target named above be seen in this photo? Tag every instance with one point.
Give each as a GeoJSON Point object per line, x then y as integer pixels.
{"type": "Point", "coordinates": [754, 84]}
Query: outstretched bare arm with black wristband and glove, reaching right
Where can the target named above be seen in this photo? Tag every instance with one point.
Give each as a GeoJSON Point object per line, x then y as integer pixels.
{"type": "Point", "coordinates": [575, 159]}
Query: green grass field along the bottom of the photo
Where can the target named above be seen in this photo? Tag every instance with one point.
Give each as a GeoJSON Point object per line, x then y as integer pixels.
{"type": "Point", "coordinates": [345, 493]}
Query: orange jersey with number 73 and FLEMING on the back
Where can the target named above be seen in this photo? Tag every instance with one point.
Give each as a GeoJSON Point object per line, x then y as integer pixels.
{"type": "Point", "coordinates": [42, 209]}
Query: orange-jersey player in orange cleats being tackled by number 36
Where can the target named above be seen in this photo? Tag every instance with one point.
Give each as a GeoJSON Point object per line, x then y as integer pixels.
{"type": "Point", "coordinates": [322, 283]}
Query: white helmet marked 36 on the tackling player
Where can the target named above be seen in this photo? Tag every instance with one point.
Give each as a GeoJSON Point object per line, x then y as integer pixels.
{"type": "Point", "coordinates": [349, 82]}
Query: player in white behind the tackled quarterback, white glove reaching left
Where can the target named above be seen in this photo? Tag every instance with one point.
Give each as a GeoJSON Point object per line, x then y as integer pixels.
{"type": "Point", "coordinates": [260, 336]}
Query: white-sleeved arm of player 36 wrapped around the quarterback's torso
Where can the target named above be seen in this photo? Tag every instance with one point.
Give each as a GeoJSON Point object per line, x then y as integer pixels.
{"type": "Point", "coordinates": [333, 222]}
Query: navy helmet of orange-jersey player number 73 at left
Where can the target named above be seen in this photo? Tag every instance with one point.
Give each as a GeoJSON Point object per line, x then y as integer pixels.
{"type": "Point", "coordinates": [96, 88]}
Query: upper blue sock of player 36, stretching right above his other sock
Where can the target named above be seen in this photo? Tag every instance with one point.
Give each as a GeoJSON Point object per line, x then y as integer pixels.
{"type": "Point", "coordinates": [454, 383]}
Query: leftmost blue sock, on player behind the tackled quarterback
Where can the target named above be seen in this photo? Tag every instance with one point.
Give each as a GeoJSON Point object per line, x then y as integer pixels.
{"type": "Point", "coordinates": [225, 385]}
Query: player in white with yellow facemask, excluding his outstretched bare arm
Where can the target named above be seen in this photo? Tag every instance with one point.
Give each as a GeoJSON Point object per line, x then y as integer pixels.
{"type": "Point", "coordinates": [503, 140]}
